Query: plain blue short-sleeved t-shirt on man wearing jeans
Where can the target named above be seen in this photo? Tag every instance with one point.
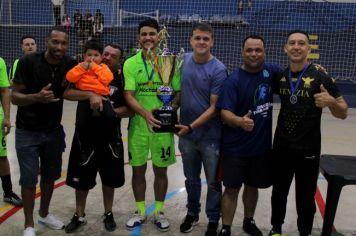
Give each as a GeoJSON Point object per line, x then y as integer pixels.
{"type": "Point", "coordinates": [199, 82]}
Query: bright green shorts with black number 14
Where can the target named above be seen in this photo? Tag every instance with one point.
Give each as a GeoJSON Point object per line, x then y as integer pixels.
{"type": "Point", "coordinates": [161, 146]}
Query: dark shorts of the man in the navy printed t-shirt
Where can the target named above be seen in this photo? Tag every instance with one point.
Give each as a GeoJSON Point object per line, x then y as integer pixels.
{"type": "Point", "coordinates": [253, 171]}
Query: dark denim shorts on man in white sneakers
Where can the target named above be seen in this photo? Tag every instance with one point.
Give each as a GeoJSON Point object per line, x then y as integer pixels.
{"type": "Point", "coordinates": [39, 150]}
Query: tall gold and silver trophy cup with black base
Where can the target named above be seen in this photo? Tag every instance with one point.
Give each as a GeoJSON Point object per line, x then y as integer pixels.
{"type": "Point", "coordinates": [167, 64]}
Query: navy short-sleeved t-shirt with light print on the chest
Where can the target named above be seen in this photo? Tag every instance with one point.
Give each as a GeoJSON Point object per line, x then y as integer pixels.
{"type": "Point", "coordinates": [243, 92]}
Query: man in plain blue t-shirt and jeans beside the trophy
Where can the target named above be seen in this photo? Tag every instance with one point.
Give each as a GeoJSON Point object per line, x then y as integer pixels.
{"type": "Point", "coordinates": [200, 128]}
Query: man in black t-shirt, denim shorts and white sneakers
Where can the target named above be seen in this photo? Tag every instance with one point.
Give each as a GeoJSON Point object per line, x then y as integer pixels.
{"type": "Point", "coordinates": [37, 90]}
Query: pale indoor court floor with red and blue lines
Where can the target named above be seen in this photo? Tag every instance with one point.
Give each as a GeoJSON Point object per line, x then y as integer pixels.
{"type": "Point", "coordinates": [338, 137]}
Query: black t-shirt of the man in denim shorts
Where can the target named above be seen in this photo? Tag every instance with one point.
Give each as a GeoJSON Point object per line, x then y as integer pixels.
{"type": "Point", "coordinates": [34, 72]}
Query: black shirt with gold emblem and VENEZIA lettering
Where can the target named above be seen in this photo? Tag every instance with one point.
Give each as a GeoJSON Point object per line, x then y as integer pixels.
{"type": "Point", "coordinates": [298, 125]}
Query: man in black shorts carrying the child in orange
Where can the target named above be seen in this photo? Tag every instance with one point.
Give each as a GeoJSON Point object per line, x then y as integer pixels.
{"type": "Point", "coordinates": [105, 160]}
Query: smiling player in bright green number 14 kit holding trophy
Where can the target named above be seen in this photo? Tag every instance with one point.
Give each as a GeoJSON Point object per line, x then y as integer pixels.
{"type": "Point", "coordinates": [141, 83]}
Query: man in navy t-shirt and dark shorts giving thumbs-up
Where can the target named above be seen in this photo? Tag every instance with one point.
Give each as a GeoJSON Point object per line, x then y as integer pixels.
{"type": "Point", "coordinates": [246, 110]}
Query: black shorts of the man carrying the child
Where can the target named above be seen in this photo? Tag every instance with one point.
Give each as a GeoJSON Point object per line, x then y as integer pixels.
{"type": "Point", "coordinates": [111, 169]}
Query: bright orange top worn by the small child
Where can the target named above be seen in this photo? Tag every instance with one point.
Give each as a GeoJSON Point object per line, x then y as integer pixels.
{"type": "Point", "coordinates": [97, 79]}
